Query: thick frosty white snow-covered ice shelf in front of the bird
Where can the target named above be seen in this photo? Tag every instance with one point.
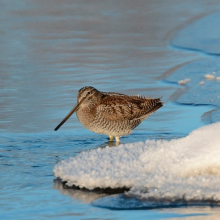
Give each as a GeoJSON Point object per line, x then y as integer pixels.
{"type": "Point", "coordinates": [180, 169]}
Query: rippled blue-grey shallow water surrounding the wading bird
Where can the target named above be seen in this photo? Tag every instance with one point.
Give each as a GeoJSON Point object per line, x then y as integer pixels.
{"type": "Point", "coordinates": [48, 52]}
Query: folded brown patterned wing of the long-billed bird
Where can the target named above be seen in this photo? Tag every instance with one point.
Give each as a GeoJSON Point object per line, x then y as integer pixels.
{"type": "Point", "coordinates": [126, 107]}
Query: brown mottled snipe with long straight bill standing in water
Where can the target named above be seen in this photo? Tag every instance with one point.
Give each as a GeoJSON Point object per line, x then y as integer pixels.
{"type": "Point", "coordinates": [110, 113]}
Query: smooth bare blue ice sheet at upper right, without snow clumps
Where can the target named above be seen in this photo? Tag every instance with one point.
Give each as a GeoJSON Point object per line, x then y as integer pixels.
{"type": "Point", "coordinates": [202, 34]}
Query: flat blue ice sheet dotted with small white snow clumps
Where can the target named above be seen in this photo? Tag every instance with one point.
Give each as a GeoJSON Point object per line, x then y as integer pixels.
{"type": "Point", "coordinates": [203, 84]}
